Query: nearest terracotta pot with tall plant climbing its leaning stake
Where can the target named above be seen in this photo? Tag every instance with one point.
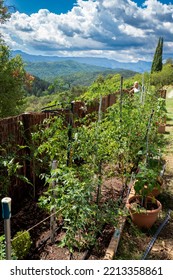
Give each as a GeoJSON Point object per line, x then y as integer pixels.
{"type": "Point", "coordinates": [143, 206]}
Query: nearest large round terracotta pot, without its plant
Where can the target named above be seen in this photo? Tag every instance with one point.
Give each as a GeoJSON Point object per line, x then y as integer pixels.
{"type": "Point", "coordinates": [144, 219]}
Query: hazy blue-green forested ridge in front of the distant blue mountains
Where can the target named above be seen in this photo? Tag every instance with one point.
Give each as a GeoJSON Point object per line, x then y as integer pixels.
{"type": "Point", "coordinates": [72, 72]}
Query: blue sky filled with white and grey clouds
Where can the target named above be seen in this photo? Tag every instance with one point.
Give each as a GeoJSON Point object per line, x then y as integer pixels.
{"type": "Point", "coordinates": [123, 30]}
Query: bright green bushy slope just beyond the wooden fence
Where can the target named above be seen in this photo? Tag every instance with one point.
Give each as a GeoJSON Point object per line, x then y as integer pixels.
{"type": "Point", "coordinates": [61, 92]}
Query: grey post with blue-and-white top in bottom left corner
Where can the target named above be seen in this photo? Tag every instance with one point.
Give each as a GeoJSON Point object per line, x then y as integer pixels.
{"type": "Point", "coordinates": [6, 215]}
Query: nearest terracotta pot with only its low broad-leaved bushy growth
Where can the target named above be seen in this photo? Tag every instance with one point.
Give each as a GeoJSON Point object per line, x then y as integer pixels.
{"type": "Point", "coordinates": [143, 206]}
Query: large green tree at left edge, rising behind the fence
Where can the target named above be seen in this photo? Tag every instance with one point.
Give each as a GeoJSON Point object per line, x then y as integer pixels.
{"type": "Point", "coordinates": [12, 80]}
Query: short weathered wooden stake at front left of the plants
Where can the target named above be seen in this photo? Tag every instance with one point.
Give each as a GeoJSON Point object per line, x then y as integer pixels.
{"type": "Point", "coordinates": [53, 216]}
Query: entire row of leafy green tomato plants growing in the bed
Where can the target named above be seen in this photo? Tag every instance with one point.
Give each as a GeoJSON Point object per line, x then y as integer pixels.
{"type": "Point", "coordinates": [117, 137]}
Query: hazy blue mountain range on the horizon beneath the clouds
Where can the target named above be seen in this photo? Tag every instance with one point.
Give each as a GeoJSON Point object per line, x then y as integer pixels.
{"type": "Point", "coordinates": [140, 66]}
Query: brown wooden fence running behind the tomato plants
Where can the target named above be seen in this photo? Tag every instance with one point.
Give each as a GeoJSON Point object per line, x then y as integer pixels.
{"type": "Point", "coordinates": [17, 130]}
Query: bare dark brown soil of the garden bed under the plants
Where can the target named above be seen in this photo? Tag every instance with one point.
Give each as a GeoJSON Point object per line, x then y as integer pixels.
{"type": "Point", "coordinates": [33, 219]}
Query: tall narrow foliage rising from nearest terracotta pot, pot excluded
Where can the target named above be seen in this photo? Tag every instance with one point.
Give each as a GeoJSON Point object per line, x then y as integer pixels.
{"type": "Point", "coordinates": [150, 163]}
